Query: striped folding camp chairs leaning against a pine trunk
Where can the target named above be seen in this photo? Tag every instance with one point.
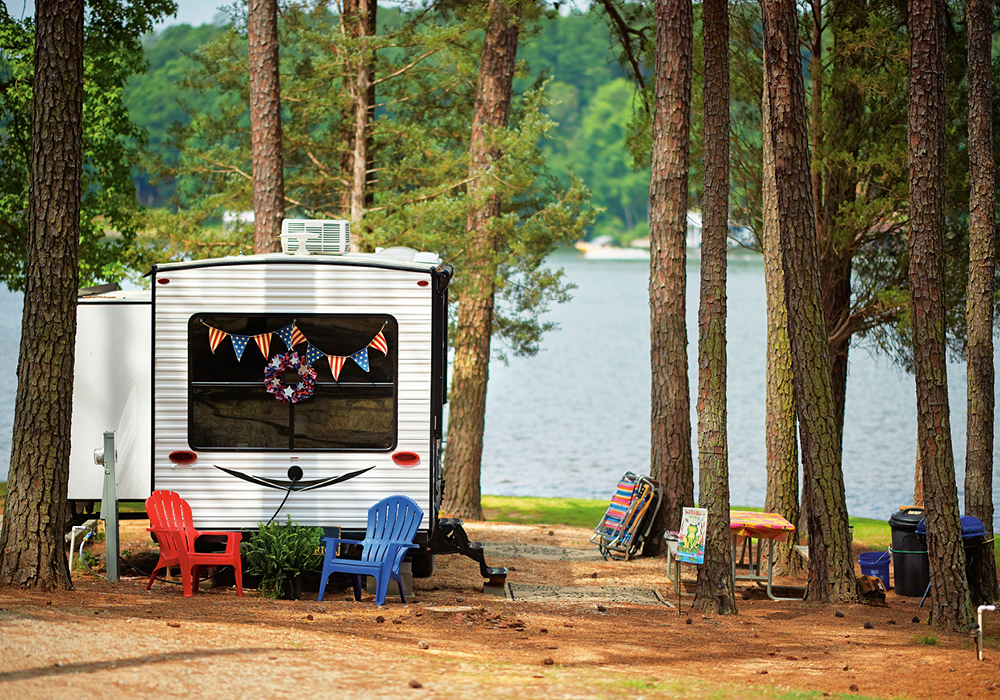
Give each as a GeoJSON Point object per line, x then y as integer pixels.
{"type": "Point", "coordinates": [629, 517]}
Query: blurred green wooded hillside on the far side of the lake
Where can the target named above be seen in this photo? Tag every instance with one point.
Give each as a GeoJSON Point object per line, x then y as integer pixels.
{"type": "Point", "coordinates": [592, 99]}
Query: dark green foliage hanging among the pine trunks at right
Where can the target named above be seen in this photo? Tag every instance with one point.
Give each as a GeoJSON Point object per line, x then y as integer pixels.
{"type": "Point", "coordinates": [864, 230]}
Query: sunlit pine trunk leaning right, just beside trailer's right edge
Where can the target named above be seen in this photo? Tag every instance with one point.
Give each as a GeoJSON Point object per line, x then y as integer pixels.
{"type": "Point", "coordinates": [470, 368]}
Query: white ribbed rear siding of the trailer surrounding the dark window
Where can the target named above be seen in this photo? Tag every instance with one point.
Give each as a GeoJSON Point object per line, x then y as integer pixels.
{"type": "Point", "coordinates": [221, 501]}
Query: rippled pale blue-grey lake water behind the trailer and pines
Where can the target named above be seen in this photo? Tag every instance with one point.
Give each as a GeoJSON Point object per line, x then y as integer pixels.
{"type": "Point", "coordinates": [573, 419]}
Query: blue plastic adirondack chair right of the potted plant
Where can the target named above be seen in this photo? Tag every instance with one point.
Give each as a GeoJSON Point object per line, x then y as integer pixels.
{"type": "Point", "coordinates": [392, 523]}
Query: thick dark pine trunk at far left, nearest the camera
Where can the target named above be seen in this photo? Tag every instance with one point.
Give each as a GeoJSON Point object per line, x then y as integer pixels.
{"type": "Point", "coordinates": [31, 540]}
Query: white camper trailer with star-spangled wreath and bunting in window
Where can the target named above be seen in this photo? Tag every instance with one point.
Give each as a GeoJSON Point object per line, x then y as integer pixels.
{"type": "Point", "coordinates": [307, 383]}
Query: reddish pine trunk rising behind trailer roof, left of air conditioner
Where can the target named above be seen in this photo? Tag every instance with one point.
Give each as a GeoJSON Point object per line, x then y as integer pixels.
{"type": "Point", "coordinates": [265, 126]}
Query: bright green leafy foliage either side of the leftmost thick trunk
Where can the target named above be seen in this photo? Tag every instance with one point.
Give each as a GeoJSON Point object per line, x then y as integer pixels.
{"type": "Point", "coordinates": [112, 143]}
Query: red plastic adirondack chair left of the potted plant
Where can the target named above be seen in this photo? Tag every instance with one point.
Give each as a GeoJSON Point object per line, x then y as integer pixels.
{"type": "Point", "coordinates": [171, 522]}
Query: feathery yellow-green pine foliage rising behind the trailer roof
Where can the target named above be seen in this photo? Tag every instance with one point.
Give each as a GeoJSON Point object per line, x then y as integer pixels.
{"type": "Point", "coordinates": [427, 66]}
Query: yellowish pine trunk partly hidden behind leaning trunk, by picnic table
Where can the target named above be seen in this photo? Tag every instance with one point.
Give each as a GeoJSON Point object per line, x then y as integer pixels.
{"type": "Point", "coordinates": [781, 441]}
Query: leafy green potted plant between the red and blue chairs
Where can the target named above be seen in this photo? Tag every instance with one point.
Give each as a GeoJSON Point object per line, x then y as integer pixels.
{"type": "Point", "coordinates": [280, 554]}
